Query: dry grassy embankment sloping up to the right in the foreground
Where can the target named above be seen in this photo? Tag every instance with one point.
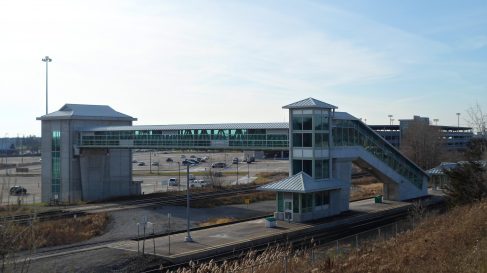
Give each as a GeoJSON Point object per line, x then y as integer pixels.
{"type": "Point", "coordinates": [453, 242]}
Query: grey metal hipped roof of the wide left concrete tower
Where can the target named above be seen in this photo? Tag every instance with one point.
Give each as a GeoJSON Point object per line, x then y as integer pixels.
{"type": "Point", "coordinates": [86, 111]}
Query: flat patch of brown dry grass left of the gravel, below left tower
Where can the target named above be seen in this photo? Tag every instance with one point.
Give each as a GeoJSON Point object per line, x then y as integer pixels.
{"type": "Point", "coordinates": [55, 232]}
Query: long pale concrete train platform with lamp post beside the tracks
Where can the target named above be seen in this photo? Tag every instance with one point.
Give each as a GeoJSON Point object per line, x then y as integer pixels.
{"type": "Point", "coordinates": [244, 235]}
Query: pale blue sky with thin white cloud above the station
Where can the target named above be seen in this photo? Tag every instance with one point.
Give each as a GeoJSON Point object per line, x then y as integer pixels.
{"type": "Point", "coordinates": [168, 62]}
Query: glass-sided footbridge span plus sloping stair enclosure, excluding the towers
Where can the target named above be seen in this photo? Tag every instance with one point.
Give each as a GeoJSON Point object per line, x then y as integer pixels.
{"type": "Point", "coordinates": [351, 138]}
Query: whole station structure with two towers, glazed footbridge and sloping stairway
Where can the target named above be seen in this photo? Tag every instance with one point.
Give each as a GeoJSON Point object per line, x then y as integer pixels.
{"type": "Point", "coordinates": [87, 155]}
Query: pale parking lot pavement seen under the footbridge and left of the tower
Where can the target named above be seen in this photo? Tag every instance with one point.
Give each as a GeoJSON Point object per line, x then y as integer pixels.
{"type": "Point", "coordinates": [154, 177]}
